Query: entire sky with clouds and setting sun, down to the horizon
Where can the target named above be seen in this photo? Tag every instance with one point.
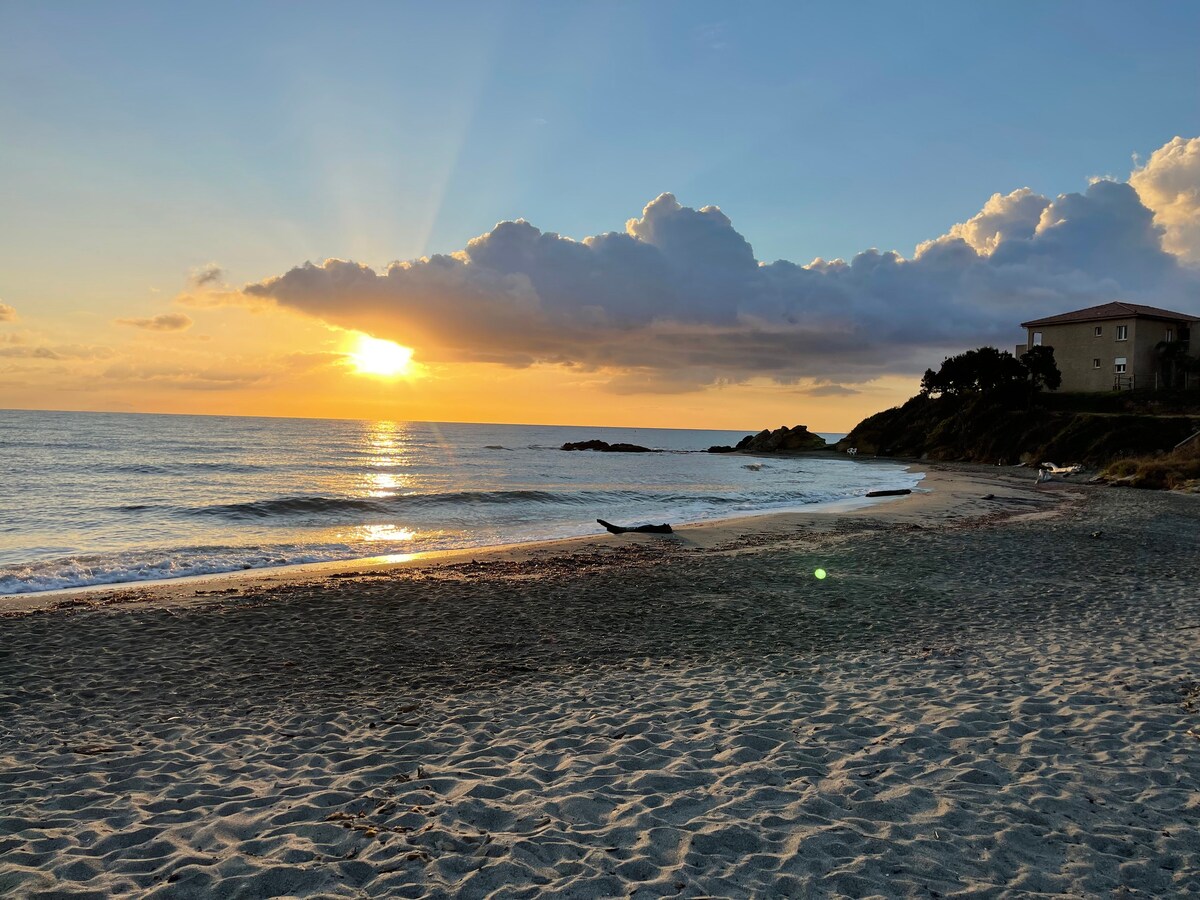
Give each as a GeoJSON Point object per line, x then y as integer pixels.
{"type": "Point", "coordinates": [669, 214]}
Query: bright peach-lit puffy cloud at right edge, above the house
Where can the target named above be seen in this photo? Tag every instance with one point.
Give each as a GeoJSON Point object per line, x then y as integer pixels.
{"type": "Point", "coordinates": [1169, 184]}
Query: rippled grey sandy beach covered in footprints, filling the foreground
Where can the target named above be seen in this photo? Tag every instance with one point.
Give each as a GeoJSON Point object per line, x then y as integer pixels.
{"type": "Point", "coordinates": [971, 704]}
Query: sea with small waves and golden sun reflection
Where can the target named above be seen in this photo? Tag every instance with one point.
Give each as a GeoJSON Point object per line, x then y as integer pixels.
{"type": "Point", "coordinates": [100, 499]}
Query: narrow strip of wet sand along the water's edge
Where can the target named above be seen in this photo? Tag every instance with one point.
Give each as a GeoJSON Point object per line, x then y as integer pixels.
{"type": "Point", "coordinates": [946, 491]}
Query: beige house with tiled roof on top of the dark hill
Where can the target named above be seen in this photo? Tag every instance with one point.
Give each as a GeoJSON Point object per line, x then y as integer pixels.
{"type": "Point", "coordinates": [1111, 347]}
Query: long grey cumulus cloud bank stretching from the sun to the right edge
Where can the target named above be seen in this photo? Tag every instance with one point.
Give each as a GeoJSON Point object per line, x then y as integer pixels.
{"type": "Point", "coordinates": [679, 299]}
